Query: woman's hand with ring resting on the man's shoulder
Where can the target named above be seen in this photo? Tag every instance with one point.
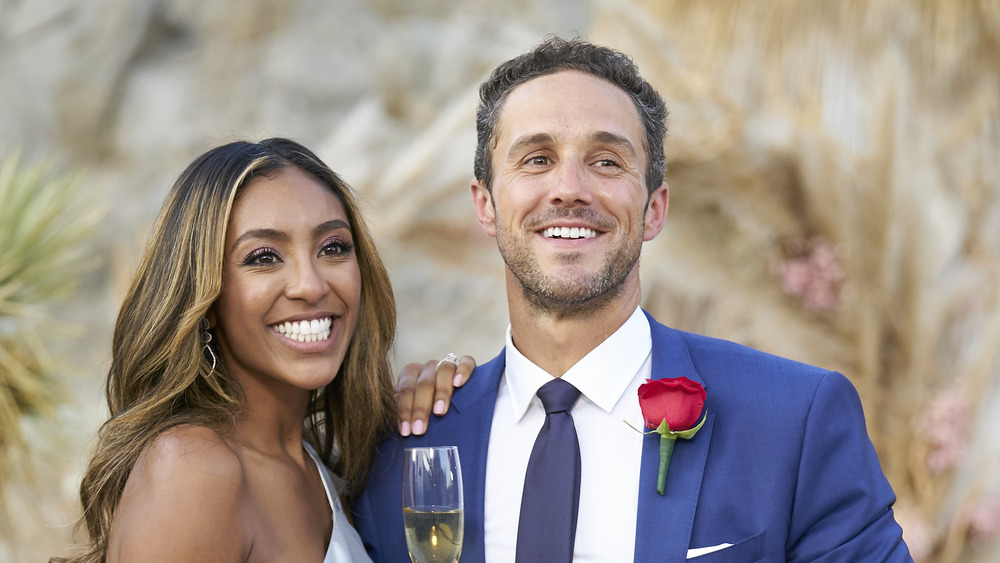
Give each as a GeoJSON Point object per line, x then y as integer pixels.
{"type": "Point", "coordinates": [421, 388]}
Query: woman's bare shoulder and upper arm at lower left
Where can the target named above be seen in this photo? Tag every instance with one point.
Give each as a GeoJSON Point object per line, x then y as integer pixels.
{"type": "Point", "coordinates": [184, 497]}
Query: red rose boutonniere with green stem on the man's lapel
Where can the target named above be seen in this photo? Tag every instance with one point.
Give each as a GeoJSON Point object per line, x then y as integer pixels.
{"type": "Point", "coordinates": [671, 408]}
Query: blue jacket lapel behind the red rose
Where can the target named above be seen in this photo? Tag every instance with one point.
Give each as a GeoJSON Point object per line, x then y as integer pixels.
{"type": "Point", "coordinates": [664, 523]}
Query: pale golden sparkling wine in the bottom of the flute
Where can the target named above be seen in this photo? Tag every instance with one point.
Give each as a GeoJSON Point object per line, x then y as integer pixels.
{"type": "Point", "coordinates": [434, 536]}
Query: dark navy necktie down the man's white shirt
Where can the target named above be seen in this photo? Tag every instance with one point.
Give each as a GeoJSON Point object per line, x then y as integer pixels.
{"type": "Point", "coordinates": [546, 530]}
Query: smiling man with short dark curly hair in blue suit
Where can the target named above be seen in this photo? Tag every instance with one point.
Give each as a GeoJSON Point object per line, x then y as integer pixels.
{"type": "Point", "coordinates": [569, 171]}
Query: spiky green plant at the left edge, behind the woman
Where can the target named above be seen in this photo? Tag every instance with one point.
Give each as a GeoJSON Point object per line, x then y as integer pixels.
{"type": "Point", "coordinates": [43, 232]}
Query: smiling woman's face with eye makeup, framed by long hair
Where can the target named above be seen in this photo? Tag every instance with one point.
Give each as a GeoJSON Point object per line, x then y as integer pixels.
{"type": "Point", "coordinates": [291, 287]}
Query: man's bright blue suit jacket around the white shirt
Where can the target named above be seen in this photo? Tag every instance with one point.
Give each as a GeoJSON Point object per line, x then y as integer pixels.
{"type": "Point", "coordinates": [783, 468]}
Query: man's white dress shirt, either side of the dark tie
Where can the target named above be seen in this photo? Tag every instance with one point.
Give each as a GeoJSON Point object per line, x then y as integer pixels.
{"type": "Point", "coordinates": [608, 379]}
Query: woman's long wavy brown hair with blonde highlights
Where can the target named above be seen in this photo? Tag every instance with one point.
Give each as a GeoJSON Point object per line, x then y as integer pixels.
{"type": "Point", "coordinates": [161, 375]}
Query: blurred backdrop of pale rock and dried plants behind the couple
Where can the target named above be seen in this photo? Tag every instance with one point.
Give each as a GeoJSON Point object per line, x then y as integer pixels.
{"type": "Point", "coordinates": [835, 198]}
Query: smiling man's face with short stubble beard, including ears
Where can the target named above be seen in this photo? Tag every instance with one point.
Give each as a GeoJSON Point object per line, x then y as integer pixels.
{"type": "Point", "coordinates": [568, 204]}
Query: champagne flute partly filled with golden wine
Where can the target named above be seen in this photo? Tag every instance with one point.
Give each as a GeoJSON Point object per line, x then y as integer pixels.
{"type": "Point", "coordinates": [433, 505]}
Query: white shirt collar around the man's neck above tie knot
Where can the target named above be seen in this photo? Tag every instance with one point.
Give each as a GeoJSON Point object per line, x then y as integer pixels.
{"type": "Point", "coordinates": [602, 375]}
